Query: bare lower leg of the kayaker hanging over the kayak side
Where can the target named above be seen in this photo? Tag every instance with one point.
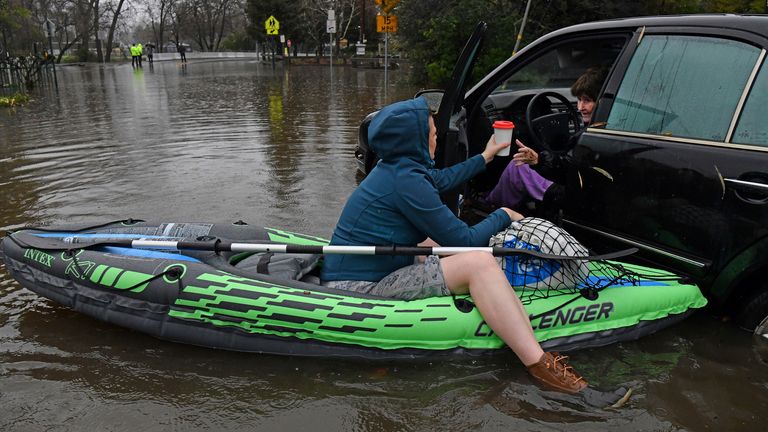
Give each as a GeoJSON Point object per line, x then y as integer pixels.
{"type": "Point", "coordinates": [478, 274]}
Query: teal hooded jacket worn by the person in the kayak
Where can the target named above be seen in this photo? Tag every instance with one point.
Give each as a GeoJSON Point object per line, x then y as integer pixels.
{"type": "Point", "coordinates": [399, 203]}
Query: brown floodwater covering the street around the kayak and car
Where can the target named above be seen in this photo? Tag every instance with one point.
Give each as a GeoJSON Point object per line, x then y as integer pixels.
{"type": "Point", "coordinates": [222, 141]}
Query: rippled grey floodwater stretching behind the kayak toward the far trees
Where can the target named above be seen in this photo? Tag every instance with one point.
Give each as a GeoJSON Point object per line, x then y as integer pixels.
{"type": "Point", "coordinates": [222, 140]}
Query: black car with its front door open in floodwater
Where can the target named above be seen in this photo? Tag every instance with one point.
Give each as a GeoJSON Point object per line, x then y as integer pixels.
{"type": "Point", "coordinates": [675, 160]}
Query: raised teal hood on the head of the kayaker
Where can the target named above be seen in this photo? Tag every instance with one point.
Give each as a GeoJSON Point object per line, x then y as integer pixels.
{"type": "Point", "coordinates": [400, 131]}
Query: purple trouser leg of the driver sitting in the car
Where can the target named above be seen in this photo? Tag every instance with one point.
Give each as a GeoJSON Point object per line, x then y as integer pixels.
{"type": "Point", "coordinates": [517, 184]}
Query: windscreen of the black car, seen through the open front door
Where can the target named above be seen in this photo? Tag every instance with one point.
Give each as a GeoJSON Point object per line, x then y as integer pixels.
{"type": "Point", "coordinates": [560, 67]}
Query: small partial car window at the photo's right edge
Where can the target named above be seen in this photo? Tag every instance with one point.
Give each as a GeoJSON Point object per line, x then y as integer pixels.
{"type": "Point", "coordinates": [753, 124]}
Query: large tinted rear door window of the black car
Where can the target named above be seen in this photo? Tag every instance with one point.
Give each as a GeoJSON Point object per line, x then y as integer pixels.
{"type": "Point", "coordinates": [683, 86]}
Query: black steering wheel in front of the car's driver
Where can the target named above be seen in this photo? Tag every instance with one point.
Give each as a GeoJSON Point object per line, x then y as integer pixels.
{"type": "Point", "coordinates": [551, 131]}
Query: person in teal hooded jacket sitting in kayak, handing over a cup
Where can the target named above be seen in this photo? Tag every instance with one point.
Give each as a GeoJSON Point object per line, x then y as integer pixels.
{"type": "Point", "coordinates": [399, 204]}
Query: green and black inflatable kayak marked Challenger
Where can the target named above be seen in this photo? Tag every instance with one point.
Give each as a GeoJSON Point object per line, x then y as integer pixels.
{"type": "Point", "coordinates": [273, 302]}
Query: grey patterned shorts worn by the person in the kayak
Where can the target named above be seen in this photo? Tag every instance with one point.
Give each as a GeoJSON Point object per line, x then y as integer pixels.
{"type": "Point", "coordinates": [408, 283]}
